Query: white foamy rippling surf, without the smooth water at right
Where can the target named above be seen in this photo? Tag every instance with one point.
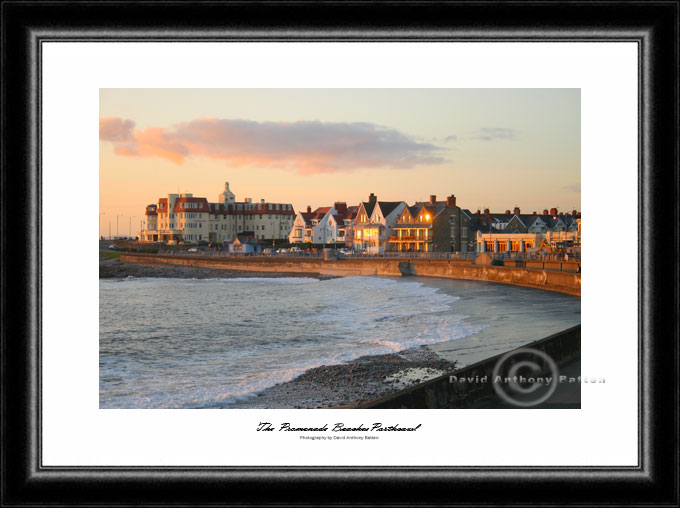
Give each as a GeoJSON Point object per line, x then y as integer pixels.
{"type": "Point", "coordinates": [310, 322]}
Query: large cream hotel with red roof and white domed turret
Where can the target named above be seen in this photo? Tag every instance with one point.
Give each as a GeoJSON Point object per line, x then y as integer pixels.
{"type": "Point", "coordinates": [188, 219]}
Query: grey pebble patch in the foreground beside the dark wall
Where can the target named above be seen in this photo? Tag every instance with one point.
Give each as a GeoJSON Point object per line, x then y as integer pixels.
{"type": "Point", "coordinates": [345, 385]}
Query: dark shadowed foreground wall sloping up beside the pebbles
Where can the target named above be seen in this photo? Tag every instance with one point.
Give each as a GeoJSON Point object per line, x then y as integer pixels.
{"type": "Point", "coordinates": [440, 393]}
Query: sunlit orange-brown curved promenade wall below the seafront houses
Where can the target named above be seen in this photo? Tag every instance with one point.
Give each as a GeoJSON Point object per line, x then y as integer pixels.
{"type": "Point", "coordinates": [564, 282]}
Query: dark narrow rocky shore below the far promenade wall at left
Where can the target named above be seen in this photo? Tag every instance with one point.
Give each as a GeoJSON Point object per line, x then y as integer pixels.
{"type": "Point", "coordinates": [115, 269]}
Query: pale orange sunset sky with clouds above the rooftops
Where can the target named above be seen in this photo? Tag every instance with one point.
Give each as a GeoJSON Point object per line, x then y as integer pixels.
{"type": "Point", "coordinates": [492, 148]}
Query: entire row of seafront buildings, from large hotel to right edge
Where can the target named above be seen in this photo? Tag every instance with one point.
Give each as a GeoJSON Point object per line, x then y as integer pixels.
{"type": "Point", "coordinates": [372, 226]}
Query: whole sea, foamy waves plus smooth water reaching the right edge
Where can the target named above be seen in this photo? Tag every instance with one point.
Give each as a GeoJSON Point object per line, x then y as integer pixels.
{"type": "Point", "coordinates": [207, 343]}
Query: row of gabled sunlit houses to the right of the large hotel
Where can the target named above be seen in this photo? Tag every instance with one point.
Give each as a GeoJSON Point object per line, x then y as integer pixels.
{"type": "Point", "coordinates": [376, 227]}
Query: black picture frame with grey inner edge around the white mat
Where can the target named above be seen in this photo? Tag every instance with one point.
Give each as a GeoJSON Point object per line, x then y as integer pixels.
{"type": "Point", "coordinates": [653, 25]}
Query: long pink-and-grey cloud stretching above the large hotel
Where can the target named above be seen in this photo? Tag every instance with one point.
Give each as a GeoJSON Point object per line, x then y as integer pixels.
{"type": "Point", "coordinates": [306, 147]}
